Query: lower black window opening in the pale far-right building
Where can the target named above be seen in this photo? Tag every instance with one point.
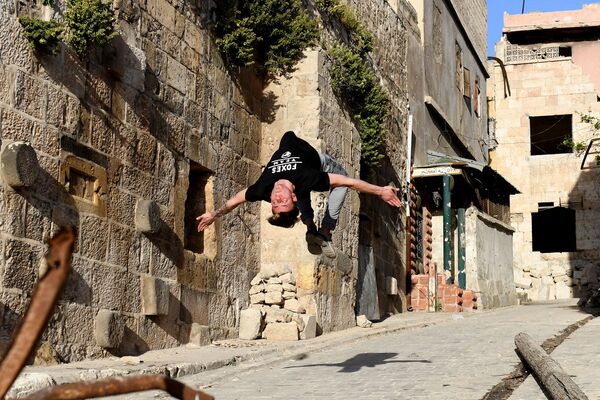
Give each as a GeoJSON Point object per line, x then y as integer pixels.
{"type": "Point", "coordinates": [553, 230]}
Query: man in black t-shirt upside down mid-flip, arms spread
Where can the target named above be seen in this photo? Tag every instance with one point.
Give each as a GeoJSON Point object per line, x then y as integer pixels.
{"type": "Point", "coordinates": [294, 170]}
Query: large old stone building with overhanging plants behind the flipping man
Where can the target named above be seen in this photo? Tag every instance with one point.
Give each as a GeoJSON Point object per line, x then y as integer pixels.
{"type": "Point", "coordinates": [136, 140]}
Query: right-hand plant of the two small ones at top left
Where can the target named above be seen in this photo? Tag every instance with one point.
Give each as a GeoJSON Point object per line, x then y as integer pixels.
{"type": "Point", "coordinates": [88, 22]}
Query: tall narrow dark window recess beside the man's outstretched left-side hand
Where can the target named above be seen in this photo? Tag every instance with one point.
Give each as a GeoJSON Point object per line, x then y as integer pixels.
{"type": "Point", "coordinates": [195, 205]}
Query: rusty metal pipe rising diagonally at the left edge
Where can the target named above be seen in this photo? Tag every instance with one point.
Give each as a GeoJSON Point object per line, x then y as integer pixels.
{"type": "Point", "coordinates": [43, 299]}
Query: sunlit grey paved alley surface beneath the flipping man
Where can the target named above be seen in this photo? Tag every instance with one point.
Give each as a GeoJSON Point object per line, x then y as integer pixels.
{"type": "Point", "coordinates": [459, 359]}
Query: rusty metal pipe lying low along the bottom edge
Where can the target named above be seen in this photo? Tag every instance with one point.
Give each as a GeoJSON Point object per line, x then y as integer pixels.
{"type": "Point", "coordinates": [117, 386]}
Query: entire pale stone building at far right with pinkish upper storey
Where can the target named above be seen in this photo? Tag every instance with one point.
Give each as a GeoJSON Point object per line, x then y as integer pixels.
{"type": "Point", "coordinates": [551, 80]}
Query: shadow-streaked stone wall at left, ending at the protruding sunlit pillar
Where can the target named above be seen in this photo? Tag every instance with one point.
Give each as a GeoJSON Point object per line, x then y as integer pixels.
{"type": "Point", "coordinates": [137, 120]}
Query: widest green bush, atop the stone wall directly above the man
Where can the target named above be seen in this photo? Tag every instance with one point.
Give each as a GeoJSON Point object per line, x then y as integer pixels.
{"type": "Point", "coordinates": [269, 34]}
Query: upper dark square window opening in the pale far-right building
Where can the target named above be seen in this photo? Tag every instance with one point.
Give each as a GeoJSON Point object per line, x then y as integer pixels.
{"type": "Point", "coordinates": [548, 134]}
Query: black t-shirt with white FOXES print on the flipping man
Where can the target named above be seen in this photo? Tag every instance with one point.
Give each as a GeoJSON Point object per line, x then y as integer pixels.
{"type": "Point", "coordinates": [296, 161]}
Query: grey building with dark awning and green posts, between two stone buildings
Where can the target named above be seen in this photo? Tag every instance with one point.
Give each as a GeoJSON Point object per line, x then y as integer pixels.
{"type": "Point", "coordinates": [459, 205]}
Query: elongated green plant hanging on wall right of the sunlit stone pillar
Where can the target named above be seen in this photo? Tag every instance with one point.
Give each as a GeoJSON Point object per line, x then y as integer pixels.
{"type": "Point", "coordinates": [353, 80]}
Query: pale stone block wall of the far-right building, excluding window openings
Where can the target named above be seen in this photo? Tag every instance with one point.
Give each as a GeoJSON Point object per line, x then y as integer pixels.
{"type": "Point", "coordinates": [556, 86]}
